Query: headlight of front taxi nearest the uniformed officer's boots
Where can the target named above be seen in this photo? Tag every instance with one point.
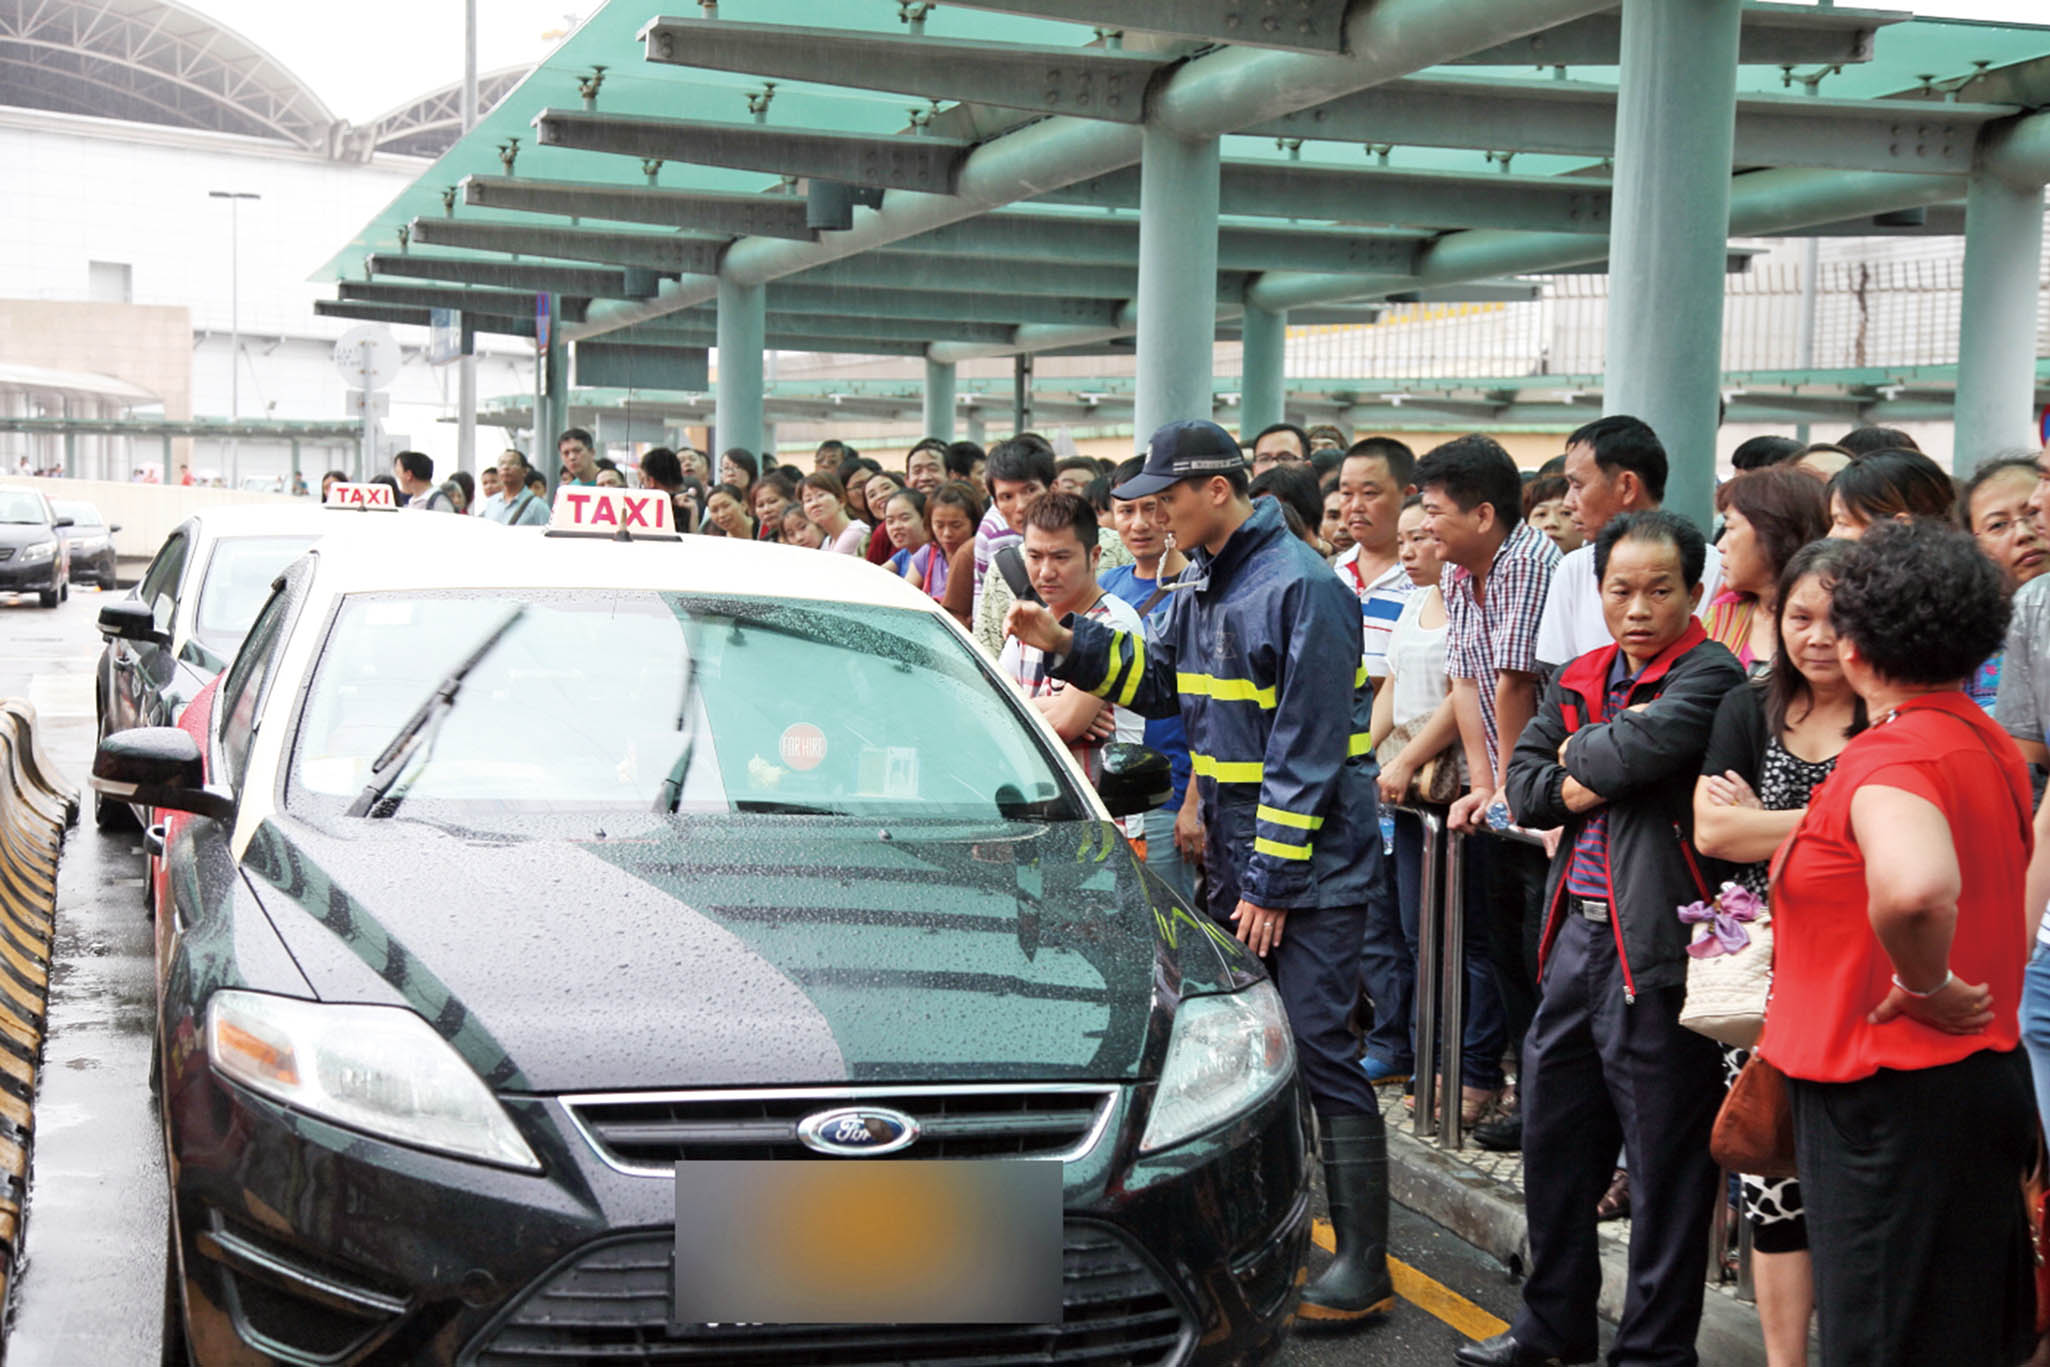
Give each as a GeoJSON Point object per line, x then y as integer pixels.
{"type": "Point", "coordinates": [1225, 1057]}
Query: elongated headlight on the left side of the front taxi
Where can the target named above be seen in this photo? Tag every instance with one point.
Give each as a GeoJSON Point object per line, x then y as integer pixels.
{"type": "Point", "coordinates": [374, 1069]}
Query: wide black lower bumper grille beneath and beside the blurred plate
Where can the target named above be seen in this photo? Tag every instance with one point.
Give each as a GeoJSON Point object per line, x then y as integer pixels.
{"type": "Point", "coordinates": [612, 1304]}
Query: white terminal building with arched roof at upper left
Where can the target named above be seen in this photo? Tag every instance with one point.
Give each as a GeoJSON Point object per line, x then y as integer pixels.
{"type": "Point", "coordinates": [169, 192]}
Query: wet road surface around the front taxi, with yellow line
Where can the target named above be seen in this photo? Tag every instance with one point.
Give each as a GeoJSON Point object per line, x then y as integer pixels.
{"type": "Point", "coordinates": [91, 1286]}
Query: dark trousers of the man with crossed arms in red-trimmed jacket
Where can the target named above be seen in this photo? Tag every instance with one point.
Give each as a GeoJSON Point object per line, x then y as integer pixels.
{"type": "Point", "coordinates": [1598, 1075]}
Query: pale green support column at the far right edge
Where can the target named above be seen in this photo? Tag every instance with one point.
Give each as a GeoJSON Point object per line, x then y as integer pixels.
{"type": "Point", "coordinates": [2004, 243]}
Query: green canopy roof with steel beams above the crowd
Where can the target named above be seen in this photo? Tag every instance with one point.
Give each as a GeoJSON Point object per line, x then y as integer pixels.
{"type": "Point", "coordinates": [1319, 208]}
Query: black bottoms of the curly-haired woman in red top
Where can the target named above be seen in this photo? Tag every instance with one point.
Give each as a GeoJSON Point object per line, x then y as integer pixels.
{"type": "Point", "coordinates": [1916, 1223]}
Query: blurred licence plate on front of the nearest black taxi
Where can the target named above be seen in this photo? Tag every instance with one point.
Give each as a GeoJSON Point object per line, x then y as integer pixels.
{"type": "Point", "coordinates": [866, 1243]}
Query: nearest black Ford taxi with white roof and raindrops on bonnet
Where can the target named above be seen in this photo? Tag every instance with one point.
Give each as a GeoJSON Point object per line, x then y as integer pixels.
{"type": "Point", "coordinates": [526, 884]}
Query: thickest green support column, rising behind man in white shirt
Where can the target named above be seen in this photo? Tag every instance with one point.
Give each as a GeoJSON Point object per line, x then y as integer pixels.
{"type": "Point", "coordinates": [1670, 224]}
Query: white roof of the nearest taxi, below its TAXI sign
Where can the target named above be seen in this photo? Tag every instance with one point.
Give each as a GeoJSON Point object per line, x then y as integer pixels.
{"type": "Point", "coordinates": [530, 558]}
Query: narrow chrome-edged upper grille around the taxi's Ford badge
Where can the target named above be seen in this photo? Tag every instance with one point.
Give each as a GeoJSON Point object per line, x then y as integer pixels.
{"type": "Point", "coordinates": [651, 1132]}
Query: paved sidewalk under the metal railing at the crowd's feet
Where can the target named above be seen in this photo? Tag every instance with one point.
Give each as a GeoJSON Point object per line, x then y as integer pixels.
{"type": "Point", "coordinates": [1479, 1196]}
